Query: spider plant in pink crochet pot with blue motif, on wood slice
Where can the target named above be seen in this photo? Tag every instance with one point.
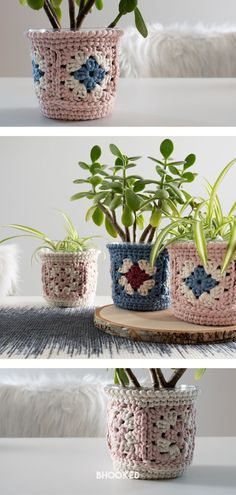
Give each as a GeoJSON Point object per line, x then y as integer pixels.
{"type": "Point", "coordinates": [202, 257]}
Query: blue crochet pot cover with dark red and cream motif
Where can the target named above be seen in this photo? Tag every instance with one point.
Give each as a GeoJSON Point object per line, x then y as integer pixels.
{"type": "Point", "coordinates": [135, 284]}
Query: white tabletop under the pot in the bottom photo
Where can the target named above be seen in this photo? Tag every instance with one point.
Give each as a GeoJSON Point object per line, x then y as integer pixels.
{"type": "Point", "coordinates": [69, 467]}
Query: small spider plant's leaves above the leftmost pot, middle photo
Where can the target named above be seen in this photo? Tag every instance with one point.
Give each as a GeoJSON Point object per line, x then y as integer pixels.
{"type": "Point", "coordinates": [72, 243]}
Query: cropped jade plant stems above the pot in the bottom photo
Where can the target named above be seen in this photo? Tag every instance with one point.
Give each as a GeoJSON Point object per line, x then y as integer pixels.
{"type": "Point", "coordinates": [126, 377]}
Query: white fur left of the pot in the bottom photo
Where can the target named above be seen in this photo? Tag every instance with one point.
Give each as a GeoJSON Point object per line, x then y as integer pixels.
{"type": "Point", "coordinates": [62, 407]}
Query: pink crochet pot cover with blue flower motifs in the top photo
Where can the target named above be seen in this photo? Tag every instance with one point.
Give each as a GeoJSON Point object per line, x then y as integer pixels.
{"type": "Point", "coordinates": [75, 72]}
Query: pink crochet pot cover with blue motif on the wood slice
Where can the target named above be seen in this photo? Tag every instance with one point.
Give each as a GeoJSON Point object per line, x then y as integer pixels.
{"type": "Point", "coordinates": [200, 294]}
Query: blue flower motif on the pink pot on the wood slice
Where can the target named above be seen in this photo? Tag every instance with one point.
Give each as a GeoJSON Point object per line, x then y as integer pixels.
{"type": "Point", "coordinates": [200, 281]}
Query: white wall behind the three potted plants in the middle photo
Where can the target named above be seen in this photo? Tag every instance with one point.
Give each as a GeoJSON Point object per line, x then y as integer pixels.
{"type": "Point", "coordinates": [36, 176]}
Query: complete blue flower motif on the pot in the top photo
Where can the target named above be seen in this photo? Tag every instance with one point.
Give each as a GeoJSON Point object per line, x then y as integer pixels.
{"type": "Point", "coordinates": [90, 74]}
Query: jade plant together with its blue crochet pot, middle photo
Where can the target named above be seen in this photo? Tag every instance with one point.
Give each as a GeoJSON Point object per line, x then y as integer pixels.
{"type": "Point", "coordinates": [128, 203]}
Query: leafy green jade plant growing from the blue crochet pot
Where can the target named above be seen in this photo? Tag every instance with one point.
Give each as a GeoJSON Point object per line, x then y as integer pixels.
{"type": "Point", "coordinates": [128, 202]}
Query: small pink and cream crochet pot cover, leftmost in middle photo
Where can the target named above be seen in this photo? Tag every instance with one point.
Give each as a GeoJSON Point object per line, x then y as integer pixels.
{"type": "Point", "coordinates": [70, 279]}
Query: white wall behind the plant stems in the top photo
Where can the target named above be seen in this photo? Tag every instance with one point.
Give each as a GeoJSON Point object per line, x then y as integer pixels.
{"type": "Point", "coordinates": [15, 20]}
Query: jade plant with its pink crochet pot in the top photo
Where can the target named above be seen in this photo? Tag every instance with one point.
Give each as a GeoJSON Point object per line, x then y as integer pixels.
{"type": "Point", "coordinates": [75, 70]}
